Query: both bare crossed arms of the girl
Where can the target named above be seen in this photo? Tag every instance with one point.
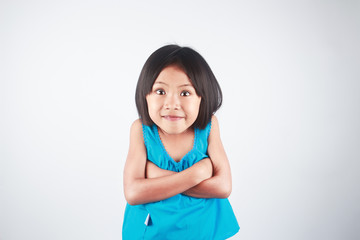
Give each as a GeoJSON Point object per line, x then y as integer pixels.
{"type": "Point", "coordinates": [144, 182]}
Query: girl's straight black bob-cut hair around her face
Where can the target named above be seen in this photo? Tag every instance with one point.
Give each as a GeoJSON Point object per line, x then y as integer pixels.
{"type": "Point", "coordinates": [194, 66]}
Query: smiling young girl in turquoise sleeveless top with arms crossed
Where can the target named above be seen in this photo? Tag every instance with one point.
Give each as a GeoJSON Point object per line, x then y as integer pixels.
{"type": "Point", "coordinates": [177, 177]}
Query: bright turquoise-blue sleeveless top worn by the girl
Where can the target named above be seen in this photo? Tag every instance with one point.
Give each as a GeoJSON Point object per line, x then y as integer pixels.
{"type": "Point", "coordinates": [181, 216]}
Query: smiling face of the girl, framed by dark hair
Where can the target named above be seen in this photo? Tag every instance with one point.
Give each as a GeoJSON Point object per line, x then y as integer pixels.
{"type": "Point", "coordinates": [173, 104]}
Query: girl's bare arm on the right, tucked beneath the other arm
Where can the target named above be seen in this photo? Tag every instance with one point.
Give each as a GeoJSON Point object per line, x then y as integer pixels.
{"type": "Point", "coordinates": [219, 185]}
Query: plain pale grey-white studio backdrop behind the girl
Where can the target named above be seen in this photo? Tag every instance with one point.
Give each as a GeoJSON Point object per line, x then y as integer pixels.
{"type": "Point", "coordinates": [289, 71]}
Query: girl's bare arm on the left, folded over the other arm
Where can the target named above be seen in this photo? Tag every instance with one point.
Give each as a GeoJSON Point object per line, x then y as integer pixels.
{"type": "Point", "coordinates": [139, 190]}
